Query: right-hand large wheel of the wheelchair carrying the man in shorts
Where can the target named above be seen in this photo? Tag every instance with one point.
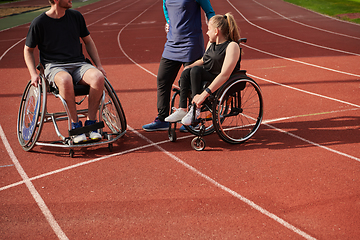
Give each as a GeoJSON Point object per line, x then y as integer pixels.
{"type": "Point", "coordinates": [113, 113]}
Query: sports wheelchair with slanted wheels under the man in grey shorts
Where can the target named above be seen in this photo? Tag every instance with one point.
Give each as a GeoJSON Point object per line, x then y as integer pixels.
{"type": "Point", "coordinates": [33, 113]}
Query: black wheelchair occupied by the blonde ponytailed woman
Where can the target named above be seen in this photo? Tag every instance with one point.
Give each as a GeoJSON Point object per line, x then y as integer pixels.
{"type": "Point", "coordinates": [234, 111]}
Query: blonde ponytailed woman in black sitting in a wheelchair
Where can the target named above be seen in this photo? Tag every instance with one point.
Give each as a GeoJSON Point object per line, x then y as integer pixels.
{"type": "Point", "coordinates": [221, 59]}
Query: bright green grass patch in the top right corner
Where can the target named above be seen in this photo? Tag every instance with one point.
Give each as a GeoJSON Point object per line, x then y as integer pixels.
{"type": "Point", "coordinates": [331, 7]}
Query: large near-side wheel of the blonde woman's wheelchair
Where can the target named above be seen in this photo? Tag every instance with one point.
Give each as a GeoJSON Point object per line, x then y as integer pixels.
{"type": "Point", "coordinates": [238, 110]}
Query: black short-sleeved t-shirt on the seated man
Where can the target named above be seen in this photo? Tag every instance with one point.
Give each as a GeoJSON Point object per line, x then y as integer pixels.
{"type": "Point", "coordinates": [58, 39]}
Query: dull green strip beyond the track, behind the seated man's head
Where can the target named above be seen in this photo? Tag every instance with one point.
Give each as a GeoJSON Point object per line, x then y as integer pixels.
{"type": "Point", "coordinates": [23, 18]}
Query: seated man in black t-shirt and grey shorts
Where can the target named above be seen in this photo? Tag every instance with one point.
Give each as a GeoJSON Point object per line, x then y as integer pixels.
{"type": "Point", "coordinates": [57, 34]}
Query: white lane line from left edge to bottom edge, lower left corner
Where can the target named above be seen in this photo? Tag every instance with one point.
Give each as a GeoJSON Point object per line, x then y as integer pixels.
{"type": "Point", "coordinates": [38, 199]}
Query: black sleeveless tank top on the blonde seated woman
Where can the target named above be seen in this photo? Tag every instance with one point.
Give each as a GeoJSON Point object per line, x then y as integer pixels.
{"type": "Point", "coordinates": [214, 58]}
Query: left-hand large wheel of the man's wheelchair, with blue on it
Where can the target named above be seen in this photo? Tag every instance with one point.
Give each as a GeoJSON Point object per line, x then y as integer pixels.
{"type": "Point", "coordinates": [31, 115]}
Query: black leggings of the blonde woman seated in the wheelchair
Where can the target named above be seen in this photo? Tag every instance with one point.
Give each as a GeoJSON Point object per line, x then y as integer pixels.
{"type": "Point", "coordinates": [192, 79]}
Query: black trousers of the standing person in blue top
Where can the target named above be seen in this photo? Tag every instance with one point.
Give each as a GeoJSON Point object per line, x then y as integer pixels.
{"type": "Point", "coordinates": [168, 70]}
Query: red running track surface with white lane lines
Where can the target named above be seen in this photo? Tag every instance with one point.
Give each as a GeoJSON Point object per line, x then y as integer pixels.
{"type": "Point", "coordinates": [298, 177]}
